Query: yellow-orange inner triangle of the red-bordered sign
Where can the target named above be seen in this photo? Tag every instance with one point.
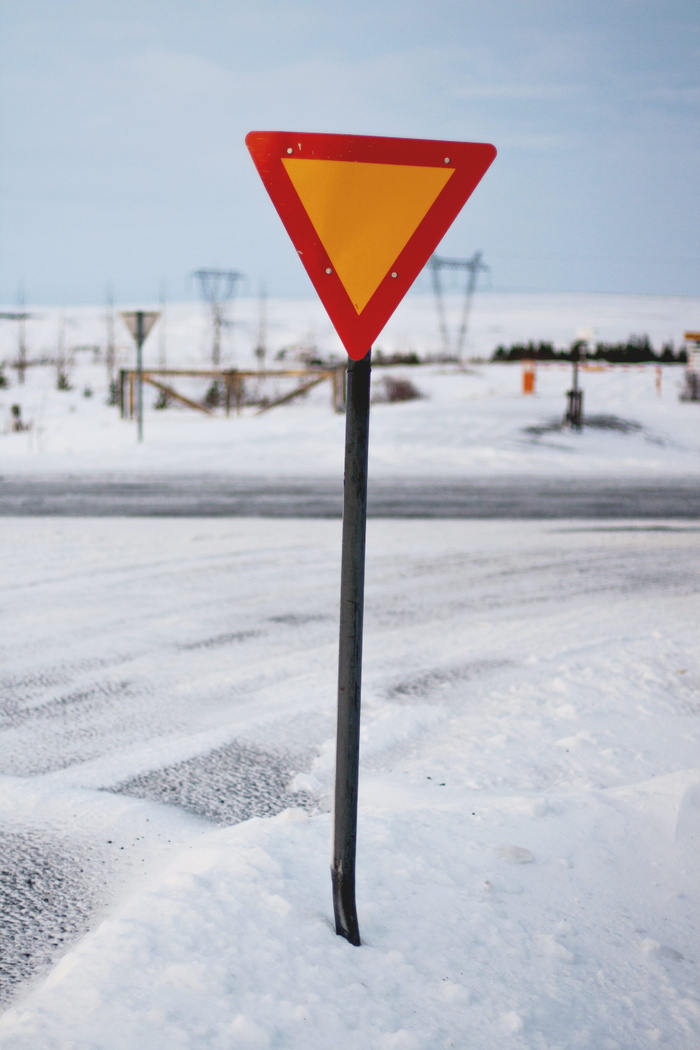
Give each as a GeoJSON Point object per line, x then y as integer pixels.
{"type": "Point", "coordinates": [365, 215]}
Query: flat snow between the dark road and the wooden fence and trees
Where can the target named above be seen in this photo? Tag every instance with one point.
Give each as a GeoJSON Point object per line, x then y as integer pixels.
{"type": "Point", "coordinates": [468, 424]}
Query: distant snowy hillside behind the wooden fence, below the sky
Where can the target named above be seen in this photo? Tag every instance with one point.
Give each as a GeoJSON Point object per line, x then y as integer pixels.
{"type": "Point", "coordinates": [184, 332]}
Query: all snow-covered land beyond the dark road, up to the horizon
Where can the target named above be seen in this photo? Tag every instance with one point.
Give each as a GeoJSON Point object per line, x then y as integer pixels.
{"type": "Point", "coordinates": [469, 423]}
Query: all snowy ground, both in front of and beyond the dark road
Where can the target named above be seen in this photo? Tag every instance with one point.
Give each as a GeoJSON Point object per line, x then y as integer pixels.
{"type": "Point", "coordinates": [529, 833]}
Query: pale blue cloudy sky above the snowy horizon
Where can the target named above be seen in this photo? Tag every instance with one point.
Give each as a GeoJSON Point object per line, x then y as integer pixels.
{"type": "Point", "coordinates": [122, 156]}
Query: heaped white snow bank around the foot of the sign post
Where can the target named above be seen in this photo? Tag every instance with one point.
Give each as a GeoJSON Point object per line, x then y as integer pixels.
{"type": "Point", "coordinates": [536, 929]}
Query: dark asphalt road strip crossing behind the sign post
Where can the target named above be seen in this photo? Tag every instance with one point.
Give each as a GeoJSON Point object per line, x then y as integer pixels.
{"type": "Point", "coordinates": [227, 497]}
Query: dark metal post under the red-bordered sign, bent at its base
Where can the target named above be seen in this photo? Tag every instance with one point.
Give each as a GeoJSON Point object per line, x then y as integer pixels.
{"type": "Point", "coordinates": [350, 654]}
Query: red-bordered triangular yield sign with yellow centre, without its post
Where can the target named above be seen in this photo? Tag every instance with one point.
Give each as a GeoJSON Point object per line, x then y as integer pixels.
{"type": "Point", "coordinates": [366, 215]}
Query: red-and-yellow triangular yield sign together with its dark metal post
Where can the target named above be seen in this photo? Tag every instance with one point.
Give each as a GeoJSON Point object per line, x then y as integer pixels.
{"type": "Point", "coordinates": [365, 215]}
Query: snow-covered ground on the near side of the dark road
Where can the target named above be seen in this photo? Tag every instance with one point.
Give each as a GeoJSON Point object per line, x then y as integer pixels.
{"type": "Point", "coordinates": [531, 789]}
